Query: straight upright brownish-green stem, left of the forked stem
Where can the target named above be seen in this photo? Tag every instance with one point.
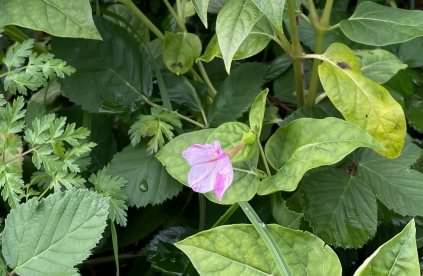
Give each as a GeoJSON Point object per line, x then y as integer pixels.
{"type": "Point", "coordinates": [296, 52]}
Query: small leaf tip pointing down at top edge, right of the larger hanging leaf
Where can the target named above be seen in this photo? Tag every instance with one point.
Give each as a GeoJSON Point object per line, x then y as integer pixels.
{"type": "Point", "coordinates": [273, 10]}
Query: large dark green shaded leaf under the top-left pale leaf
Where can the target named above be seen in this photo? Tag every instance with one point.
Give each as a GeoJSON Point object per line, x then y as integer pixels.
{"type": "Point", "coordinates": [108, 76]}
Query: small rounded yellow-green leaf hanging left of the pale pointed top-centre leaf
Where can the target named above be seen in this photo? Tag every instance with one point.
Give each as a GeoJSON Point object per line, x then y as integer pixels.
{"type": "Point", "coordinates": [180, 50]}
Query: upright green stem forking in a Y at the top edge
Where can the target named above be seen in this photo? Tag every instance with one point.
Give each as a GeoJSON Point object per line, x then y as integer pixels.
{"type": "Point", "coordinates": [321, 26]}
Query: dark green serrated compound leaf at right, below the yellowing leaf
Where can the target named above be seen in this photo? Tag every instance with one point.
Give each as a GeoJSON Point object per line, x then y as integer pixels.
{"type": "Point", "coordinates": [341, 202]}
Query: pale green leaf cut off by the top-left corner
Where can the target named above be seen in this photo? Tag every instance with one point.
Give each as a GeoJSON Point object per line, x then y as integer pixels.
{"type": "Point", "coordinates": [57, 17]}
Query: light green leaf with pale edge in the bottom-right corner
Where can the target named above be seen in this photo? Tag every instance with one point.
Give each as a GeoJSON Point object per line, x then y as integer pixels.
{"type": "Point", "coordinates": [398, 256]}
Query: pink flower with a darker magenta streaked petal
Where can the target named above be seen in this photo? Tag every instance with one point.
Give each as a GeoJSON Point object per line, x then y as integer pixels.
{"type": "Point", "coordinates": [211, 168]}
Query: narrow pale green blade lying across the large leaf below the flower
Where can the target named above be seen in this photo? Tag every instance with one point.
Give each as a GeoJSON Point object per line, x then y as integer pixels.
{"type": "Point", "coordinates": [267, 238]}
